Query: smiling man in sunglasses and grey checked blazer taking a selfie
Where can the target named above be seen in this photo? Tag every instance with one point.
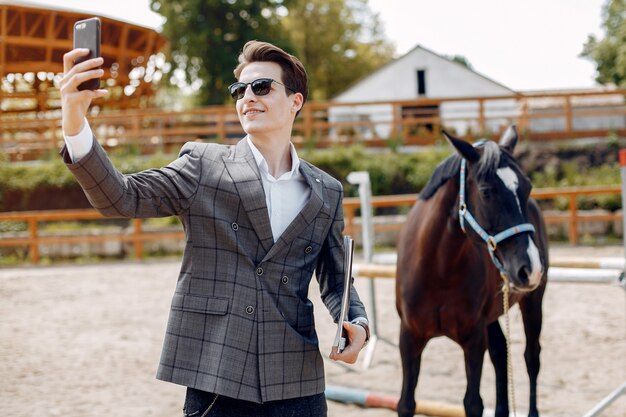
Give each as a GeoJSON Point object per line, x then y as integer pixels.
{"type": "Point", "coordinates": [258, 222]}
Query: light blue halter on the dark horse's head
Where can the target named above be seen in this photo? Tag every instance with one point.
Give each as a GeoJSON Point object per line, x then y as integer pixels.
{"type": "Point", "coordinates": [491, 241]}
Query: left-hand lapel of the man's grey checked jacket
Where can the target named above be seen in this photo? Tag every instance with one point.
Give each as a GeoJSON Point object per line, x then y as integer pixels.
{"type": "Point", "coordinates": [247, 179]}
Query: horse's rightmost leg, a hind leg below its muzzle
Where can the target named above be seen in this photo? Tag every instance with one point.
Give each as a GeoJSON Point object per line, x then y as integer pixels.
{"type": "Point", "coordinates": [532, 318]}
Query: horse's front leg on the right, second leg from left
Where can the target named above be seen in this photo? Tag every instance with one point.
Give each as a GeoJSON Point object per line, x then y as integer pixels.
{"type": "Point", "coordinates": [474, 350]}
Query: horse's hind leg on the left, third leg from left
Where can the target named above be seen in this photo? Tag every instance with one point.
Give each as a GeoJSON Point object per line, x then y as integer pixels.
{"type": "Point", "coordinates": [497, 353]}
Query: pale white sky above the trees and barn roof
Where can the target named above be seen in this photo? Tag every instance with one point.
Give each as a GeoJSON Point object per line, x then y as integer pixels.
{"type": "Point", "coordinates": [524, 45]}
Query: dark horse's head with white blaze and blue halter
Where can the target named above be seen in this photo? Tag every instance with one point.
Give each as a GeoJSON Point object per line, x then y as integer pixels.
{"type": "Point", "coordinates": [493, 200]}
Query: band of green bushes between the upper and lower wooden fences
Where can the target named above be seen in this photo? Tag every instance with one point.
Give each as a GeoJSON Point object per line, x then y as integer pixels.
{"type": "Point", "coordinates": [391, 172]}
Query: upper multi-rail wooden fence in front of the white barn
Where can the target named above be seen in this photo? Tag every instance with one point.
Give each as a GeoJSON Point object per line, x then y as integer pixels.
{"type": "Point", "coordinates": [539, 117]}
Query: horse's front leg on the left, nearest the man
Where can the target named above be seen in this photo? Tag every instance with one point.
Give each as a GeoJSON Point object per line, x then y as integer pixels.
{"type": "Point", "coordinates": [411, 348]}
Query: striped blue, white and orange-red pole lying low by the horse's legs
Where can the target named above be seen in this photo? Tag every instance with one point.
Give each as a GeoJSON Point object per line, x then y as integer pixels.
{"type": "Point", "coordinates": [368, 399]}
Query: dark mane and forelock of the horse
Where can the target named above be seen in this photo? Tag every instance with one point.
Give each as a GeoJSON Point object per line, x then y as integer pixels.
{"type": "Point", "coordinates": [450, 167]}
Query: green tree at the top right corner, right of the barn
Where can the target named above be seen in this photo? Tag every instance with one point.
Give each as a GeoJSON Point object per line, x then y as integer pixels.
{"type": "Point", "coordinates": [609, 53]}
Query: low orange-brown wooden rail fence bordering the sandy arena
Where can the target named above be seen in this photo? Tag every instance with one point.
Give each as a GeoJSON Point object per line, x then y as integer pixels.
{"type": "Point", "coordinates": [138, 235]}
